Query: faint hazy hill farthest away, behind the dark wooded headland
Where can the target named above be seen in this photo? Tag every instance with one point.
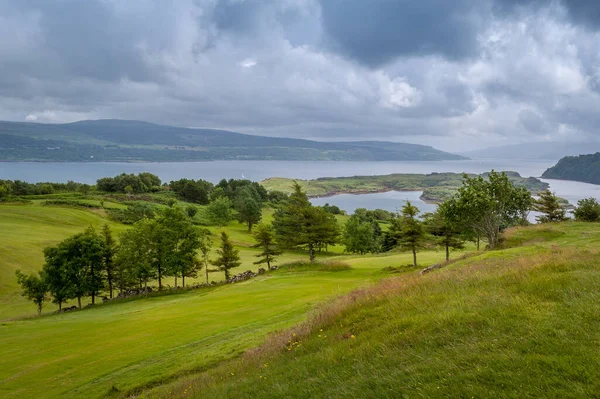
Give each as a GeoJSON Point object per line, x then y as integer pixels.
{"type": "Point", "coordinates": [544, 150]}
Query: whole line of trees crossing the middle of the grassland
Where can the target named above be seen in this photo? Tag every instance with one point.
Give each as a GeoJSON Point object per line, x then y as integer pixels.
{"type": "Point", "coordinates": [169, 245]}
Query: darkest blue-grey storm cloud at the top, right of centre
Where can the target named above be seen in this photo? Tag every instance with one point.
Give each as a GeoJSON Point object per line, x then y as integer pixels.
{"type": "Point", "coordinates": [375, 32]}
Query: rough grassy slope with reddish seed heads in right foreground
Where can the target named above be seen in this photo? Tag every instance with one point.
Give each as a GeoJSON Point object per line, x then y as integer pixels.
{"type": "Point", "coordinates": [520, 322]}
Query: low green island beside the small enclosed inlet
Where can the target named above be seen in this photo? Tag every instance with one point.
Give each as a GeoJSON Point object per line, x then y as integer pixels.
{"type": "Point", "coordinates": [436, 187]}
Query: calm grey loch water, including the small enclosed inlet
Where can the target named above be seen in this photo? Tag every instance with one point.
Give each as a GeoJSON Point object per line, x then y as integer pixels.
{"type": "Point", "coordinates": [259, 170]}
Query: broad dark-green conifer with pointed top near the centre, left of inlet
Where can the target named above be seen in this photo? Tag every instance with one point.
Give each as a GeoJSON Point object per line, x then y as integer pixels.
{"type": "Point", "coordinates": [298, 224]}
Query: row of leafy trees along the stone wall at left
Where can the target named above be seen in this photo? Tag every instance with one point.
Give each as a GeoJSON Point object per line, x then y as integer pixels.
{"type": "Point", "coordinates": [169, 245]}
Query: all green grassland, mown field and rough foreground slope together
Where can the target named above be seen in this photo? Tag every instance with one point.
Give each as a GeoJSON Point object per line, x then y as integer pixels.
{"type": "Point", "coordinates": [494, 322]}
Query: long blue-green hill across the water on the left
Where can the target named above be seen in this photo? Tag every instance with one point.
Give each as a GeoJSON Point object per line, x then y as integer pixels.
{"type": "Point", "coordinates": [130, 141]}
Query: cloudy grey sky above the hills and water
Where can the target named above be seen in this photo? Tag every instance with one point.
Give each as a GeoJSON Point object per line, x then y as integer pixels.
{"type": "Point", "coordinates": [454, 74]}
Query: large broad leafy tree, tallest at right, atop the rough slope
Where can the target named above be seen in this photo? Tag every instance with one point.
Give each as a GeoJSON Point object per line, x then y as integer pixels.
{"type": "Point", "coordinates": [485, 206]}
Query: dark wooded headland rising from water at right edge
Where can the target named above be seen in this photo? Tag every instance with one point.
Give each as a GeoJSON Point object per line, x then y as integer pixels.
{"type": "Point", "coordinates": [584, 168]}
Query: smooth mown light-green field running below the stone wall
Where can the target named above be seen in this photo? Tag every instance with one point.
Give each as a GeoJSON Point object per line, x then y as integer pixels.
{"type": "Point", "coordinates": [136, 343]}
